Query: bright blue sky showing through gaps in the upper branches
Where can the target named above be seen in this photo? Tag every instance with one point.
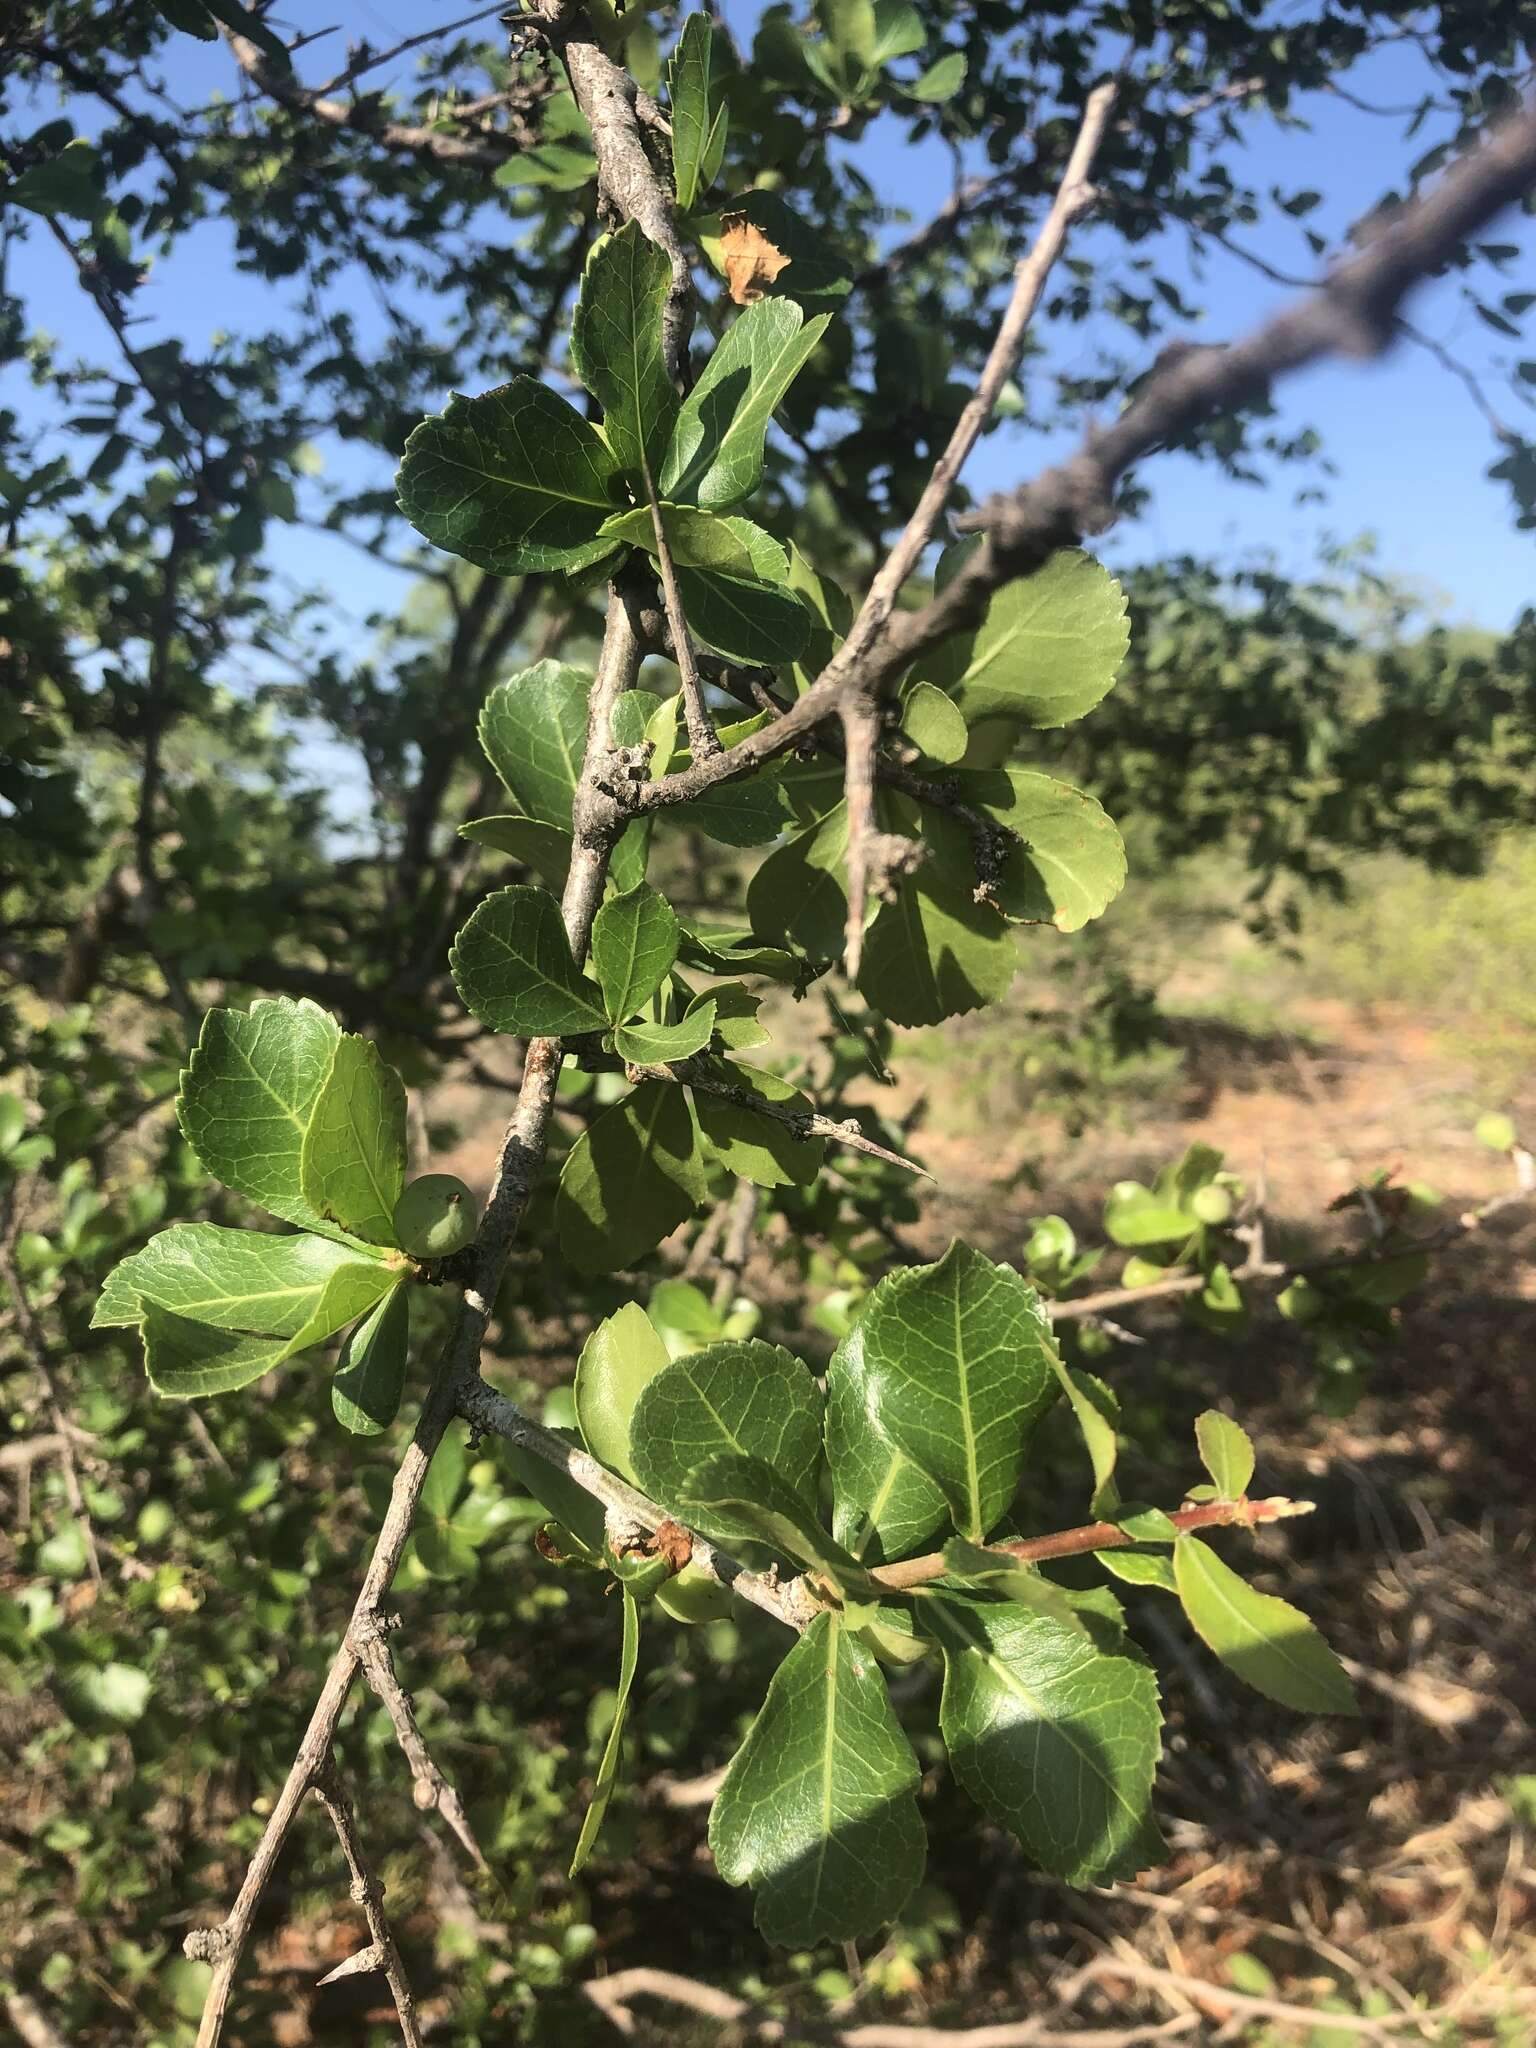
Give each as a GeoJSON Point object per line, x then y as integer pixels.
{"type": "Point", "coordinates": [1408, 443]}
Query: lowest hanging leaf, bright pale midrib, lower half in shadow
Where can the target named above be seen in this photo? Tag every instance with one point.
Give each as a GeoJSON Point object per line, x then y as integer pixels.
{"type": "Point", "coordinates": [818, 1807]}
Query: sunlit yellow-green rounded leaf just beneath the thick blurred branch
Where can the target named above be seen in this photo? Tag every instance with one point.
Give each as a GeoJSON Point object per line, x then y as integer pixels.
{"type": "Point", "coordinates": [1048, 648]}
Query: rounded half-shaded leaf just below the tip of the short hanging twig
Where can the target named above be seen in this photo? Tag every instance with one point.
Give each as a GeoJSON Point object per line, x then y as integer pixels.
{"type": "Point", "coordinates": [935, 953]}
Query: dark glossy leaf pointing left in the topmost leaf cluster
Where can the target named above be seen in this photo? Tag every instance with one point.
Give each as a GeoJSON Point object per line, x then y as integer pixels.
{"type": "Point", "coordinates": [511, 480]}
